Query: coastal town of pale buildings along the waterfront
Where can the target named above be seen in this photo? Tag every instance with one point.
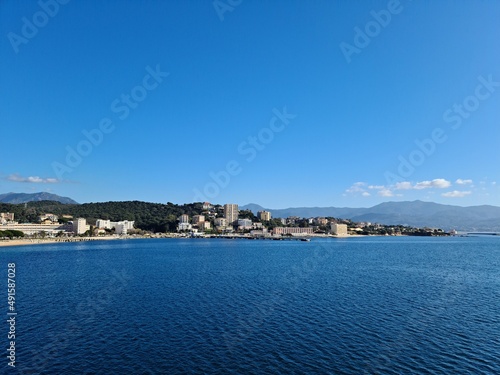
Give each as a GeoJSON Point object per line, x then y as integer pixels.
{"type": "Point", "coordinates": [211, 220]}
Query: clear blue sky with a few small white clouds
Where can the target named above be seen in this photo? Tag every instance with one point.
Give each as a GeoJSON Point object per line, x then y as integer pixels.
{"type": "Point", "coordinates": [283, 103]}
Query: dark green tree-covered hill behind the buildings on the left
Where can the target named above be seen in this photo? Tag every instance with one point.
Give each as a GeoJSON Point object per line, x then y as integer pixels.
{"type": "Point", "coordinates": [155, 217]}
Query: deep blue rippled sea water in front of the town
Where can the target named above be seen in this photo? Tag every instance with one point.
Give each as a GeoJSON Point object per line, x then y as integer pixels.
{"type": "Point", "coordinates": [380, 305]}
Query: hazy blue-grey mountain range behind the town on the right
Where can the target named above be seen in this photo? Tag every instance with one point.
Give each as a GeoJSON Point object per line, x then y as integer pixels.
{"type": "Point", "coordinates": [416, 213]}
